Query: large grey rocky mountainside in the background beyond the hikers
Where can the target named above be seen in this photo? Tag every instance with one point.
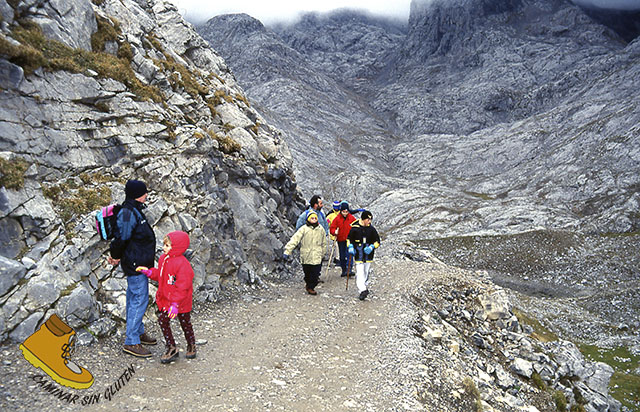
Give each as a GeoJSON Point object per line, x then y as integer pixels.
{"type": "Point", "coordinates": [526, 75]}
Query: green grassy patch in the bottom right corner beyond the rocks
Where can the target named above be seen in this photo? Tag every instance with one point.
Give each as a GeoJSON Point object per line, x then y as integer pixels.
{"type": "Point", "coordinates": [625, 382]}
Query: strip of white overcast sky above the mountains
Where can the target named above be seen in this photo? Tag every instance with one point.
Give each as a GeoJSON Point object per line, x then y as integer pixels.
{"type": "Point", "coordinates": [198, 11]}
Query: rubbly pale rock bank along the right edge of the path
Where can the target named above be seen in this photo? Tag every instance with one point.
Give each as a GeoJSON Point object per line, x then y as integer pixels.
{"type": "Point", "coordinates": [470, 331]}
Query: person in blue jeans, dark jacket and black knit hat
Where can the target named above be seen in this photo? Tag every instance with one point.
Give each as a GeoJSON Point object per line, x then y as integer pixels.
{"type": "Point", "coordinates": [133, 245]}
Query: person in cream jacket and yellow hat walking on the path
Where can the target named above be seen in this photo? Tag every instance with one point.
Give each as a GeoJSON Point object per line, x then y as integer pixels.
{"type": "Point", "coordinates": [313, 242]}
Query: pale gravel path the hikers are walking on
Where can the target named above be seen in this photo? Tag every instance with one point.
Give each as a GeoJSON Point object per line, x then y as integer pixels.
{"type": "Point", "coordinates": [278, 349]}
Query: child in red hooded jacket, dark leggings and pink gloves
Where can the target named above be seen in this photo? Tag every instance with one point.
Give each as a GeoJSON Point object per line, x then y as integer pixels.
{"type": "Point", "coordinates": [175, 292]}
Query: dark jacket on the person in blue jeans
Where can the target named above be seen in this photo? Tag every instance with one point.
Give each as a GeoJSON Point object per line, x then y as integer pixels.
{"type": "Point", "coordinates": [134, 241]}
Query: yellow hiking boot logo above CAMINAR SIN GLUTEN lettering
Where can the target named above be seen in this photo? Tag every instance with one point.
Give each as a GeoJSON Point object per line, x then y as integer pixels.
{"type": "Point", "coordinates": [50, 348]}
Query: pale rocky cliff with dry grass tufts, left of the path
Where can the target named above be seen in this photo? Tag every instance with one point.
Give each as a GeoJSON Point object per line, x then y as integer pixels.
{"type": "Point", "coordinates": [93, 94]}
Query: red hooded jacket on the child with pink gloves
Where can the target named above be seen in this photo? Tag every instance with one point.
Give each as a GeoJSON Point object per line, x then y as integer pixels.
{"type": "Point", "coordinates": [174, 275]}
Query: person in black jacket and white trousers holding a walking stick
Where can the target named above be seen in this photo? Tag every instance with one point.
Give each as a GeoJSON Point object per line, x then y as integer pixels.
{"type": "Point", "coordinates": [362, 242]}
